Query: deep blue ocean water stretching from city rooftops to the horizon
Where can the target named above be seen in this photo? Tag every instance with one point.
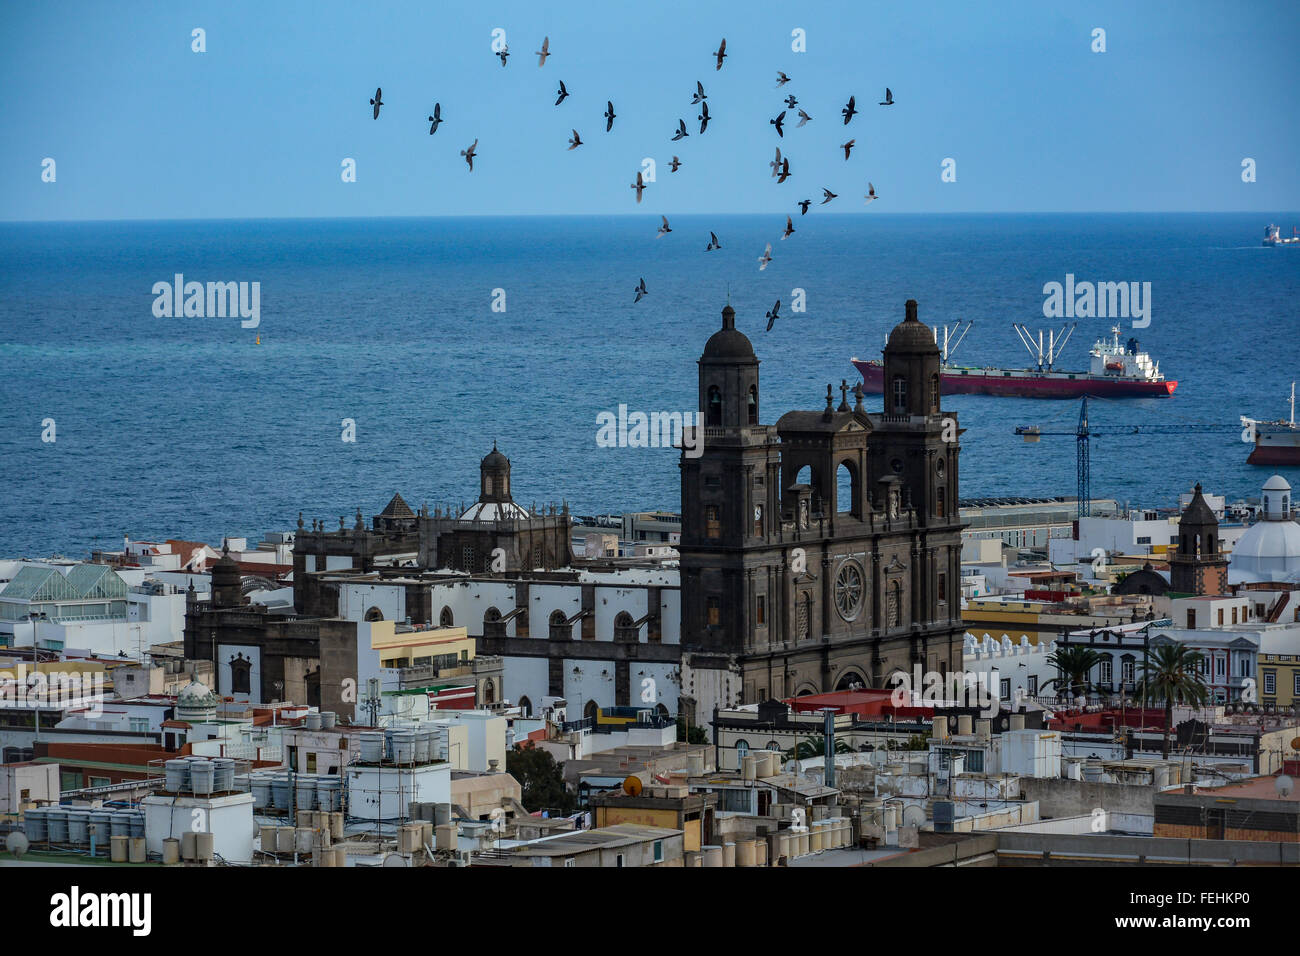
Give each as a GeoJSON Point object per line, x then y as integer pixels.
{"type": "Point", "coordinates": [187, 429]}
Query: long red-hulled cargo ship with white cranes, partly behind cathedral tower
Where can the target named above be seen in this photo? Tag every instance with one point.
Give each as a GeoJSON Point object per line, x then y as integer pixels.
{"type": "Point", "coordinates": [1117, 370]}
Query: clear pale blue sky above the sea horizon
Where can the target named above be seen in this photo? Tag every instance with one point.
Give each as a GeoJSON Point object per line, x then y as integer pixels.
{"type": "Point", "coordinates": [258, 126]}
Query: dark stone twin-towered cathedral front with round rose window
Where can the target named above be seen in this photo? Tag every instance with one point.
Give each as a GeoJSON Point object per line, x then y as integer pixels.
{"type": "Point", "coordinates": [821, 553]}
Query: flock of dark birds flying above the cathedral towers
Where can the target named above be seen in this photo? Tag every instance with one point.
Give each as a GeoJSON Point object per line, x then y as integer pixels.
{"type": "Point", "coordinates": [781, 166]}
